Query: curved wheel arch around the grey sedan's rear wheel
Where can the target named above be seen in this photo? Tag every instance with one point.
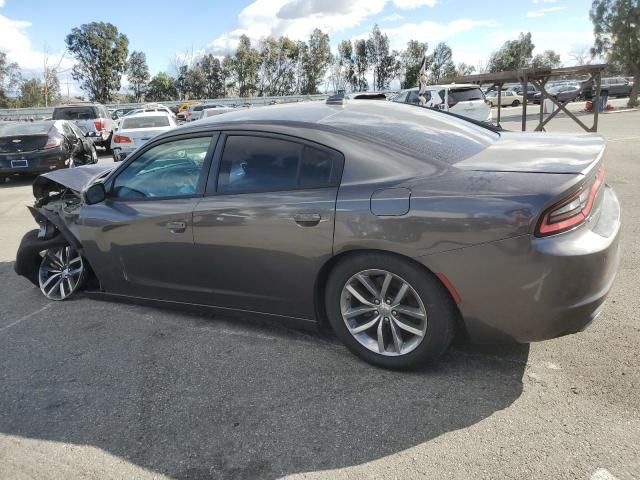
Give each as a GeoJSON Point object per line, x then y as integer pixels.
{"type": "Point", "coordinates": [325, 271]}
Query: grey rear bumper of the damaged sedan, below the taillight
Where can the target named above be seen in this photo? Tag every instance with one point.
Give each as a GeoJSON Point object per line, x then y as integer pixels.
{"type": "Point", "coordinates": [528, 289]}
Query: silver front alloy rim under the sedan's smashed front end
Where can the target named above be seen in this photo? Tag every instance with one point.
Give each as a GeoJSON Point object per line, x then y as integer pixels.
{"type": "Point", "coordinates": [61, 273]}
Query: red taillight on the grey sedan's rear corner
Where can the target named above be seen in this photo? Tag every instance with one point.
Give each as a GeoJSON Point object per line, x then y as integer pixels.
{"type": "Point", "coordinates": [572, 211]}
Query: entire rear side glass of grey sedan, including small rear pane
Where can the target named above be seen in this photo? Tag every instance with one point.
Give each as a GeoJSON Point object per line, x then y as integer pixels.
{"type": "Point", "coordinates": [254, 164]}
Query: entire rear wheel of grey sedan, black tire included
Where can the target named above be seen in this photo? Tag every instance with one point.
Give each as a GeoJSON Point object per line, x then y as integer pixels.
{"type": "Point", "coordinates": [389, 311]}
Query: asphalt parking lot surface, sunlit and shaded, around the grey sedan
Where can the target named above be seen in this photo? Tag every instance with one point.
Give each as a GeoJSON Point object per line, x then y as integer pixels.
{"type": "Point", "coordinates": [92, 389]}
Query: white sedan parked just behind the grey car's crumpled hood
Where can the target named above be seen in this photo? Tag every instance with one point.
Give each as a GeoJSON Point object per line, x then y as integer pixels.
{"type": "Point", "coordinates": [137, 129]}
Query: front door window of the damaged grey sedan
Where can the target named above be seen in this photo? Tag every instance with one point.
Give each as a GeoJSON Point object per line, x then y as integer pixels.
{"type": "Point", "coordinates": [171, 169]}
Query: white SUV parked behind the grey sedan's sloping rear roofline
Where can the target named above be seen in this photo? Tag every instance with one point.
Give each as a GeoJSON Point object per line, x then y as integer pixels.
{"type": "Point", "coordinates": [466, 100]}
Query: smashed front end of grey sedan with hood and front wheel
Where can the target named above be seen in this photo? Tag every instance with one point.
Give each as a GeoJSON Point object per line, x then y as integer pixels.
{"type": "Point", "coordinates": [51, 256]}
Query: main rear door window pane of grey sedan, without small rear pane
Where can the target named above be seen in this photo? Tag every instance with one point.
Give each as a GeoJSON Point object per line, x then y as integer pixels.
{"type": "Point", "coordinates": [258, 164]}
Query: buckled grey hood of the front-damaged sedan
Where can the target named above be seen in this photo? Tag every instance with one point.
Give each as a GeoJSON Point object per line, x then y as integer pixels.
{"type": "Point", "coordinates": [75, 179]}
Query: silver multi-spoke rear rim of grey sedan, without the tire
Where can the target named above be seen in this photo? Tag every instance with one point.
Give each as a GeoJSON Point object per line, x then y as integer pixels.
{"type": "Point", "coordinates": [383, 312]}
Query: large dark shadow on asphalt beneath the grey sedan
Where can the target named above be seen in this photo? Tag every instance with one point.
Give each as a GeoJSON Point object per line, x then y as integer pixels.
{"type": "Point", "coordinates": [198, 397]}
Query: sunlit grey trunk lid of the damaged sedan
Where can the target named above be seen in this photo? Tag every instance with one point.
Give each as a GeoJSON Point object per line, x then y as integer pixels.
{"type": "Point", "coordinates": [538, 153]}
